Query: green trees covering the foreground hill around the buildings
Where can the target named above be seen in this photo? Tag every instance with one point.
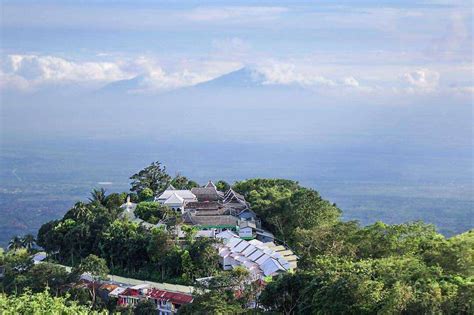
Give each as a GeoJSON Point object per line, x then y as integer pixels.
{"type": "Point", "coordinates": [342, 267]}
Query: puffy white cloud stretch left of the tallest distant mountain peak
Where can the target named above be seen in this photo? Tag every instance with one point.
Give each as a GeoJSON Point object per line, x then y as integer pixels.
{"type": "Point", "coordinates": [26, 72]}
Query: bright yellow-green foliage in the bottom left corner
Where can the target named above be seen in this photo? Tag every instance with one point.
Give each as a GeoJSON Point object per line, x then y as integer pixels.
{"type": "Point", "coordinates": [40, 303]}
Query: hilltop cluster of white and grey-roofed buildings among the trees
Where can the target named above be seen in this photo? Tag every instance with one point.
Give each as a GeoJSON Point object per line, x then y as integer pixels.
{"type": "Point", "coordinates": [227, 216]}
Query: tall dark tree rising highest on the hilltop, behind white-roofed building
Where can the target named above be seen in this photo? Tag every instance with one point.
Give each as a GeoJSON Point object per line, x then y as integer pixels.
{"type": "Point", "coordinates": [153, 177]}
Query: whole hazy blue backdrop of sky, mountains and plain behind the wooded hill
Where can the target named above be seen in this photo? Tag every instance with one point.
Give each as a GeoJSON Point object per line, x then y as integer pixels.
{"type": "Point", "coordinates": [368, 102]}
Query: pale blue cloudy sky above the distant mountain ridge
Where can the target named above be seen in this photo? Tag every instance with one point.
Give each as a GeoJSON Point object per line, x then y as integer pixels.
{"type": "Point", "coordinates": [387, 49]}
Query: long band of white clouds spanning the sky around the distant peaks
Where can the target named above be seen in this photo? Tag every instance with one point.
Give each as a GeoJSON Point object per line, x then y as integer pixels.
{"type": "Point", "coordinates": [24, 73]}
